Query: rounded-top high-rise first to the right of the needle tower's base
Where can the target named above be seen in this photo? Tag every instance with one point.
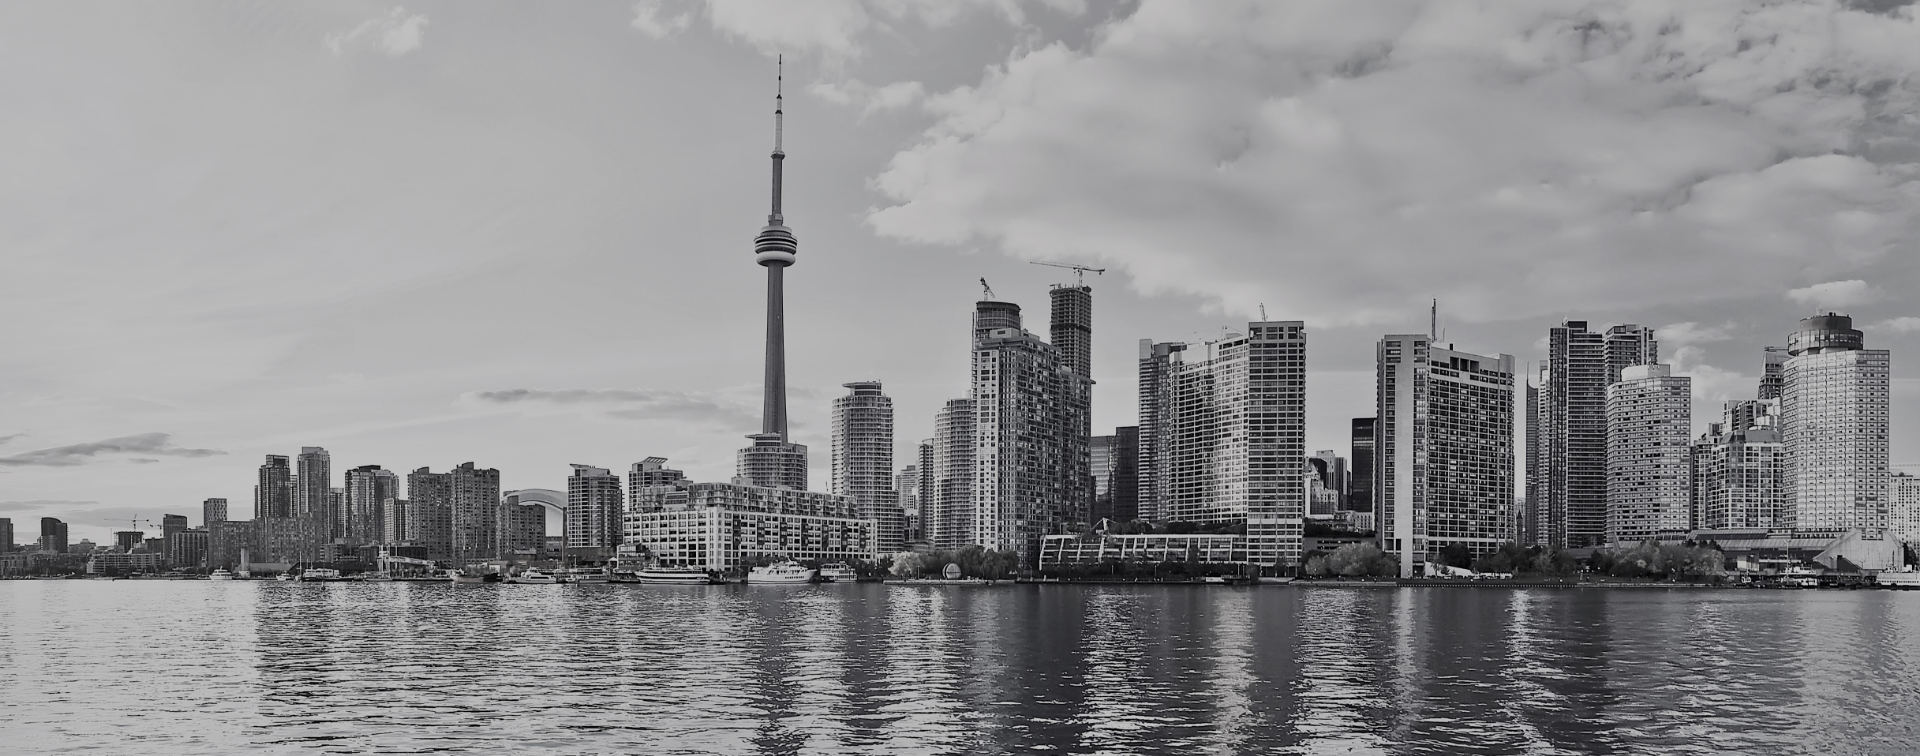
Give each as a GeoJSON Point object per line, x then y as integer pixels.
{"type": "Point", "coordinates": [863, 461]}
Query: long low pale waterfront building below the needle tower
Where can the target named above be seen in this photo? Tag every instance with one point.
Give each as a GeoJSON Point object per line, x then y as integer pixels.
{"type": "Point", "coordinates": [717, 527]}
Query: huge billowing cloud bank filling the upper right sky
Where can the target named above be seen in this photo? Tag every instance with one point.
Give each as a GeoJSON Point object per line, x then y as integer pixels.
{"type": "Point", "coordinates": [1355, 160]}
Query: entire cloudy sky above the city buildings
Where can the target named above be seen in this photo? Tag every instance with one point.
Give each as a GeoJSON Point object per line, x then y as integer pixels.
{"type": "Point", "coordinates": [521, 233]}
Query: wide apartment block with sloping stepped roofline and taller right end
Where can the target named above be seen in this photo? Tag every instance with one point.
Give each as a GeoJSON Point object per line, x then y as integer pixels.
{"type": "Point", "coordinates": [1228, 435]}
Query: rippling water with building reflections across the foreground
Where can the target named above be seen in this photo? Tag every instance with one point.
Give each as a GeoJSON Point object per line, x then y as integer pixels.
{"type": "Point", "coordinates": [404, 669]}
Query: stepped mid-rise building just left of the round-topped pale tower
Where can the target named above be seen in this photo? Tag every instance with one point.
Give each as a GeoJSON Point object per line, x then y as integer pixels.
{"type": "Point", "coordinates": [1739, 469]}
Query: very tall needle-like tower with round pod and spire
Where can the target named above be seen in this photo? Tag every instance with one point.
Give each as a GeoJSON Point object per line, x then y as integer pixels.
{"type": "Point", "coordinates": [773, 461]}
